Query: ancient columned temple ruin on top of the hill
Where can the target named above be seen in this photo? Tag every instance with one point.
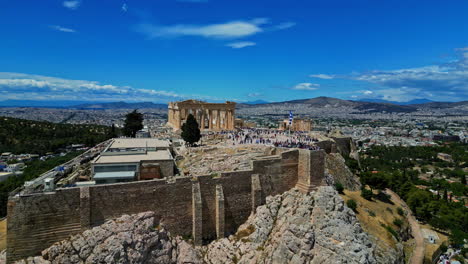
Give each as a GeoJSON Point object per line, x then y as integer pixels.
{"type": "Point", "coordinates": [210, 116]}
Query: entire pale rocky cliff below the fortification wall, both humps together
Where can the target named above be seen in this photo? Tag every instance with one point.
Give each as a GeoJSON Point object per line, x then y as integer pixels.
{"type": "Point", "coordinates": [290, 228]}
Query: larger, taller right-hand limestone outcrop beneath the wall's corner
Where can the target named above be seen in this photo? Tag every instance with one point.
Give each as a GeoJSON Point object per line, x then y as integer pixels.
{"type": "Point", "coordinates": [296, 228]}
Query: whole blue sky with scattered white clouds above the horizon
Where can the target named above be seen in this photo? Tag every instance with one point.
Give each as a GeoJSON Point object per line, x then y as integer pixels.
{"type": "Point", "coordinates": [166, 50]}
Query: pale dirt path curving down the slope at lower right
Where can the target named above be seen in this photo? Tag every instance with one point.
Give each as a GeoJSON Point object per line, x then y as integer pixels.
{"type": "Point", "coordinates": [418, 253]}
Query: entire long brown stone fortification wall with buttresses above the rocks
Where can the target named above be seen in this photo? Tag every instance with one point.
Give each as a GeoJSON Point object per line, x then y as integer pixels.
{"type": "Point", "coordinates": [204, 207]}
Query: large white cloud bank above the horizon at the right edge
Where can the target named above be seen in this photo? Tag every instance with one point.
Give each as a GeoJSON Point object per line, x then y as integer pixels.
{"type": "Point", "coordinates": [440, 82]}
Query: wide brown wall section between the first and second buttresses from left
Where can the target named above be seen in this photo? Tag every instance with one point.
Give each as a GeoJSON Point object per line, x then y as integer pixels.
{"type": "Point", "coordinates": [171, 202]}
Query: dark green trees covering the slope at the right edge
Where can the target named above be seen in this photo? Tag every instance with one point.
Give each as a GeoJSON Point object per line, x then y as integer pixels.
{"type": "Point", "coordinates": [412, 172]}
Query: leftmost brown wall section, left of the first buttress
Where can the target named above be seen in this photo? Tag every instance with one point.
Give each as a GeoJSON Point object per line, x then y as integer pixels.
{"type": "Point", "coordinates": [37, 221]}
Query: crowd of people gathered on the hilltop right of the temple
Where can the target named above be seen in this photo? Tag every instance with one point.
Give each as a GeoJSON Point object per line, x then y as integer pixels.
{"type": "Point", "coordinates": [275, 138]}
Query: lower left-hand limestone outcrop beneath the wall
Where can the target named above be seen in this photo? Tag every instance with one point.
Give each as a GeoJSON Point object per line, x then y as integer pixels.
{"type": "Point", "coordinates": [128, 239]}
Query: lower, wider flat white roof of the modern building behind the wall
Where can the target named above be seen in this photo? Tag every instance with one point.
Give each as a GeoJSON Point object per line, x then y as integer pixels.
{"type": "Point", "coordinates": [149, 156]}
